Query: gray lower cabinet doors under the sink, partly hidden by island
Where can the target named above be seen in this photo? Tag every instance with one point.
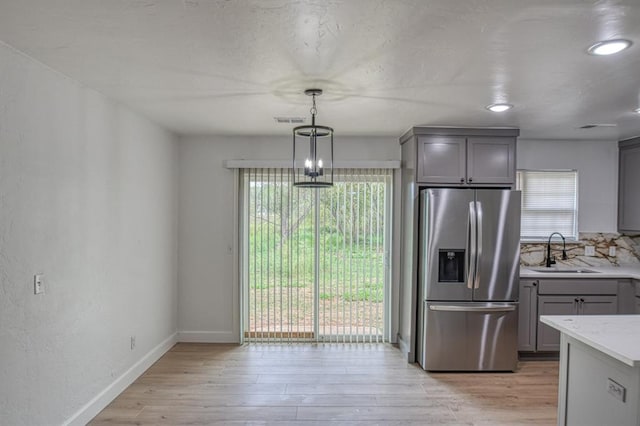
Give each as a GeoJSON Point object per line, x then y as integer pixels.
{"type": "Point", "coordinates": [549, 338]}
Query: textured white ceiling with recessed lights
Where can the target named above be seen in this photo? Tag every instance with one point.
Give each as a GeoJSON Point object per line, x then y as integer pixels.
{"type": "Point", "coordinates": [230, 67]}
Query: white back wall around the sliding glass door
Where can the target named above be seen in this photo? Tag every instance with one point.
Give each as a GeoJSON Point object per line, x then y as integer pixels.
{"type": "Point", "coordinates": [208, 298]}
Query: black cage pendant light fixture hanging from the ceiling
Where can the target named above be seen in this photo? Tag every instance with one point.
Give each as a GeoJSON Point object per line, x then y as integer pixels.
{"type": "Point", "coordinates": [313, 151]}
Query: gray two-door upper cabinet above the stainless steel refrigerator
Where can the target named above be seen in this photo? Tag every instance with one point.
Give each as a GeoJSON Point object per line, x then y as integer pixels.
{"type": "Point", "coordinates": [464, 156]}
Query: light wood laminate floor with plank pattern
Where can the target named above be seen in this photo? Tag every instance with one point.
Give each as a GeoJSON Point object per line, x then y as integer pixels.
{"type": "Point", "coordinates": [327, 384]}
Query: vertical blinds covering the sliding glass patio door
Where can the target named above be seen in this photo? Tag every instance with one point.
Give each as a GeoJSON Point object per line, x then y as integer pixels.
{"type": "Point", "coordinates": [315, 262]}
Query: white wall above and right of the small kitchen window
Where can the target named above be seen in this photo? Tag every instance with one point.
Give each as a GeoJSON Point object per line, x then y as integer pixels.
{"type": "Point", "coordinates": [597, 165]}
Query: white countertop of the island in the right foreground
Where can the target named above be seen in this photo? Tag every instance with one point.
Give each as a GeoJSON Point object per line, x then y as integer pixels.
{"type": "Point", "coordinates": [615, 335]}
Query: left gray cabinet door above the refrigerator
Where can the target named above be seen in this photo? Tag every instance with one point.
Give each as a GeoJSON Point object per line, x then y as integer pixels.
{"type": "Point", "coordinates": [442, 159]}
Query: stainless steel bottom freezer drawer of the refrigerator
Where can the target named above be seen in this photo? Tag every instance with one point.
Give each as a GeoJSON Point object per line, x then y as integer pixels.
{"type": "Point", "coordinates": [470, 337]}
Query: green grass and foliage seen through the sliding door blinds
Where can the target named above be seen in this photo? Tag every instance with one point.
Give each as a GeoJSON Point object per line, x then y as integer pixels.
{"type": "Point", "coordinates": [282, 244]}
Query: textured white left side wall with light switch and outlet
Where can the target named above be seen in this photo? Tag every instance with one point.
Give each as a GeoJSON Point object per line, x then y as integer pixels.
{"type": "Point", "coordinates": [87, 197]}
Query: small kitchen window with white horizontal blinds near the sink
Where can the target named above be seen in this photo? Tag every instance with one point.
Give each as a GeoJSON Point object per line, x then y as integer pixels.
{"type": "Point", "coordinates": [549, 203]}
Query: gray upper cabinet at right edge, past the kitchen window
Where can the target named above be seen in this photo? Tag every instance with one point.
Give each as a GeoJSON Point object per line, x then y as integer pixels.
{"type": "Point", "coordinates": [628, 194]}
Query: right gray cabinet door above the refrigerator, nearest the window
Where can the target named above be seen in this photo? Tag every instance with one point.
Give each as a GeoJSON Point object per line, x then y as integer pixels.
{"type": "Point", "coordinates": [491, 160]}
